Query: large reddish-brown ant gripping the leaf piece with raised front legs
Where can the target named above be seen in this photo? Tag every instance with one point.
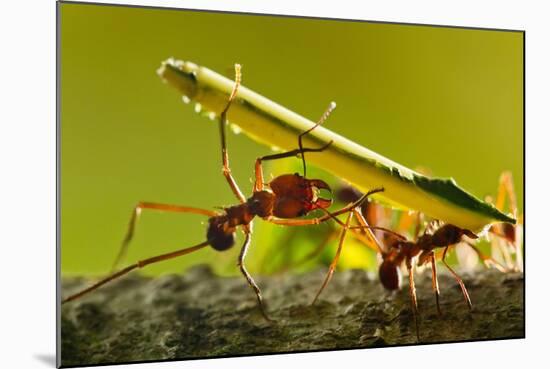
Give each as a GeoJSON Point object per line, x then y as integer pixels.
{"type": "Point", "coordinates": [280, 201]}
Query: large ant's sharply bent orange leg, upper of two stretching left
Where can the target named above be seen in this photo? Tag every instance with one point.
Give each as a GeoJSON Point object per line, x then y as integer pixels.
{"type": "Point", "coordinates": [152, 206]}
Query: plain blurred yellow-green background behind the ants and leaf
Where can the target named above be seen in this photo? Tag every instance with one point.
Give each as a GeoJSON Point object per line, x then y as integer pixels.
{"type": "Point", "coordinates": [447, 99]}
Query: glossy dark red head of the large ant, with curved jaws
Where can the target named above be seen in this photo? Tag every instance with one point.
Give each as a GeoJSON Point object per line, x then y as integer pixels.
{"type": "Point", "coordinates": [297, 196]}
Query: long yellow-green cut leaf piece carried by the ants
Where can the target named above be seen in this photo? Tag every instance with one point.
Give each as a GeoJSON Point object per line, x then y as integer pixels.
{"type": "Point", "coordinates": [278, 127]}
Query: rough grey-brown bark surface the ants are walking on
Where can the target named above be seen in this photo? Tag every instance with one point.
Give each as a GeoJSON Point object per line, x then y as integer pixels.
{"type": "Point", "coordinates": [201, 315]}
